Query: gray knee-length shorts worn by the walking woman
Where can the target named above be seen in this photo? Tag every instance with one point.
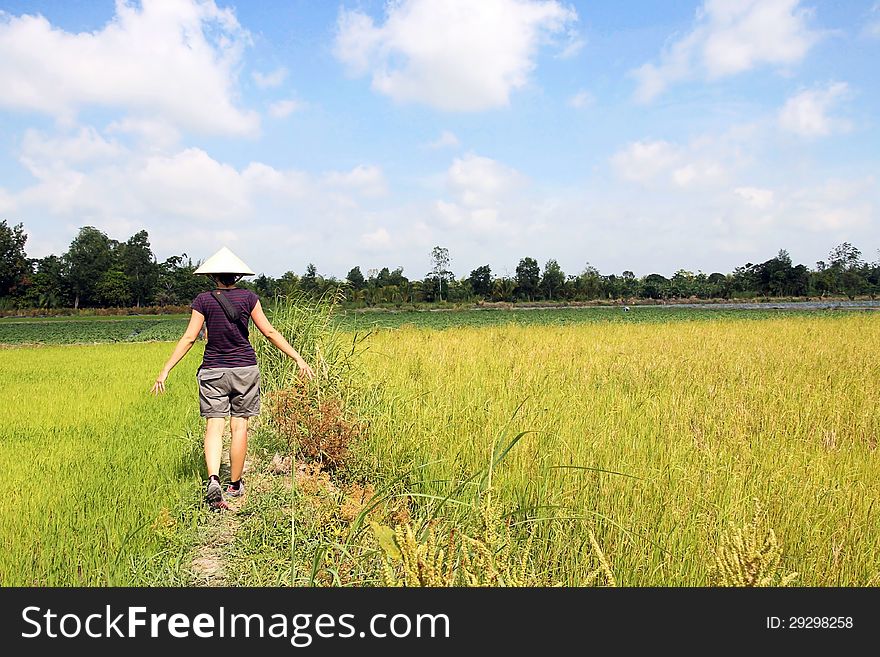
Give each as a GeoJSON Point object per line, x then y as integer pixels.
{"type": "Point", "coordinates": [225, 391]}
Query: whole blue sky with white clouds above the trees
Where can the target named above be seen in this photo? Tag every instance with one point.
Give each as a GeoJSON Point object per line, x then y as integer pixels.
{"type": "Point", "coordinates": [641, 135]}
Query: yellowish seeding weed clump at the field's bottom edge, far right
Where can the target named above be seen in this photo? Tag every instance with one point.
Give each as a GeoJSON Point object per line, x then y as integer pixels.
{"type": "Point", "coordinates": [750, 556]}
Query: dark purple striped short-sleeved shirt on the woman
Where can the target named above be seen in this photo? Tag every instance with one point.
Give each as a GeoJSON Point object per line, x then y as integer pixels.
{"type": "Point", "coordinates": [228, 344]}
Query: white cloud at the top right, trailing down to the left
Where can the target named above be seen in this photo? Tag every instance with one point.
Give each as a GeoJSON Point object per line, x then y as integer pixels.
{"type": "Point", "coordinates": [730, 37]}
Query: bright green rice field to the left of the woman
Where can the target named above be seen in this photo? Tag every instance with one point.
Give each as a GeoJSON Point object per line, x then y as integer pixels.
{"type": "Point", "coordinates": [93, 466]}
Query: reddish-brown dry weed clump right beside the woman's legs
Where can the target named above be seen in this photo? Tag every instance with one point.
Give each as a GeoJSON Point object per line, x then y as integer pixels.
{"type": "Point", "coordinates": [317, 429]}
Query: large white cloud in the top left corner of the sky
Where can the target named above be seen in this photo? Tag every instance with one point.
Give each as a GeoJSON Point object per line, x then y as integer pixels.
{"type": "Point", "coordinates": [170, 61]}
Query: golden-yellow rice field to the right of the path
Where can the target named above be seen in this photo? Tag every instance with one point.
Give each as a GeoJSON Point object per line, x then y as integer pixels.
{"type": "Point", "coordinates": [699, 419]}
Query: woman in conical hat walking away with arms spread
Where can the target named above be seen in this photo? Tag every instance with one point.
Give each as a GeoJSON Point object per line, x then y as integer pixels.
{"type": "Point", "coordinates": [229, 381]}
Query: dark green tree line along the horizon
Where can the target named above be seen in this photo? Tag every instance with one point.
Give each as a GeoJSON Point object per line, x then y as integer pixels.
{"type": "Point", "coordinates": [97, 271]}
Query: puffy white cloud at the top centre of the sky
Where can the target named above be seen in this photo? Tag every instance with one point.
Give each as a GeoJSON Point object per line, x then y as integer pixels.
{"type": "Point", "coordinates": [454, 55]}
